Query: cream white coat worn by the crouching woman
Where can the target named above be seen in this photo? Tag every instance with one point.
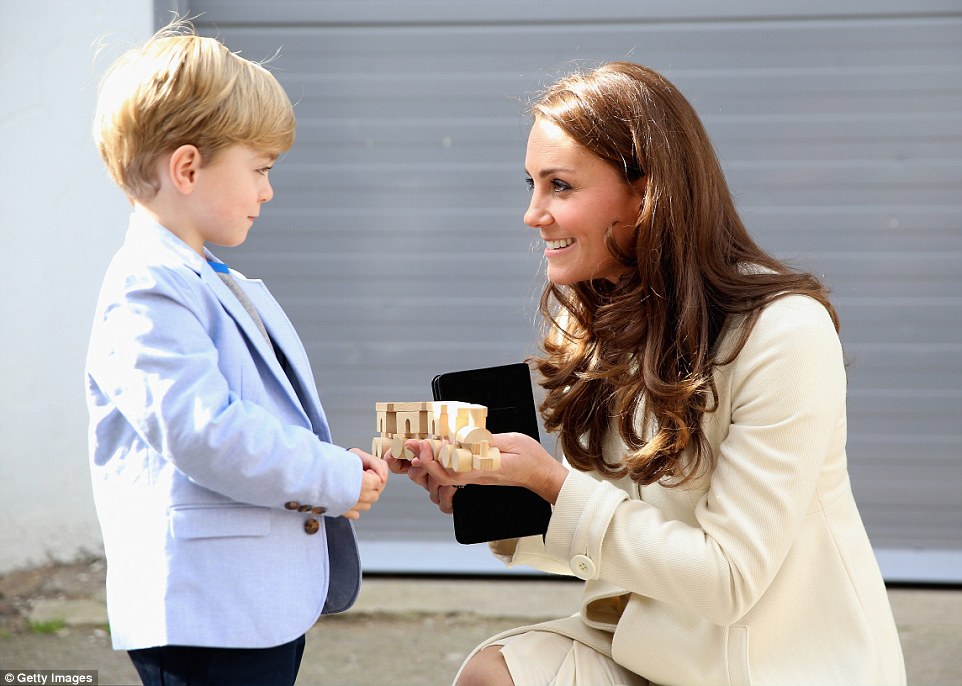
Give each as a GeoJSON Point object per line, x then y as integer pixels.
{"type": "Point", "coordinates": [760, 574]}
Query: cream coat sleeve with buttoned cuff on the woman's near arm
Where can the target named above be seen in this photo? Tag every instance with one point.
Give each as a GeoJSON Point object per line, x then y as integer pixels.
{"type": "Point", "coordinates": [787, 402]}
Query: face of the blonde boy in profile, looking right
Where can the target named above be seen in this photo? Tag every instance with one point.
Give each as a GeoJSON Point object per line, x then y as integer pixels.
{"type": "Point", "coordinates": [227, 197]}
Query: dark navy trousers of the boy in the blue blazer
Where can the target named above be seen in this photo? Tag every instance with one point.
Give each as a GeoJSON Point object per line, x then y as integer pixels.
{"type": "Point", "coordinates": [191, 666]}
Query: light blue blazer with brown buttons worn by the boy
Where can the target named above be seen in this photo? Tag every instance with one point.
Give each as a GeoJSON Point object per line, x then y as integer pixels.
{"type": "Point", "coordinates": [199, 444]}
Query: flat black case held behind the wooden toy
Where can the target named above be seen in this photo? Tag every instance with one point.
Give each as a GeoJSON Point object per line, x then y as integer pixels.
{"type": "Point", "coordinates": [493, 513]}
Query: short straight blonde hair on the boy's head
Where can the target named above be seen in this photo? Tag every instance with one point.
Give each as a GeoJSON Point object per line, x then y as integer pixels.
{"type": "Point", "coordinates": [178, 89]}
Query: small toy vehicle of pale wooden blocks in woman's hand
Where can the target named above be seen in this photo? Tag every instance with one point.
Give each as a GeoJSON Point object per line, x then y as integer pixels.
{"type": "Point", "coordinates": [457, 432]}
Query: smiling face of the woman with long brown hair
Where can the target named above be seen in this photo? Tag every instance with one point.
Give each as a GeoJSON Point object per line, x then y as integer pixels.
{"type": "Point", "coordinates": [575, 198]}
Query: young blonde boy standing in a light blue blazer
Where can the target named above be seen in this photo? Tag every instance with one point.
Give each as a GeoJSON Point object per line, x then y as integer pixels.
{"type": "Point", "coordinates": [224, 505]}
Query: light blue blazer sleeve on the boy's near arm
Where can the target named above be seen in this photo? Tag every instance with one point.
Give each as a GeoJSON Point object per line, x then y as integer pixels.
{"type": "Point", "coordinates": [153, 357]}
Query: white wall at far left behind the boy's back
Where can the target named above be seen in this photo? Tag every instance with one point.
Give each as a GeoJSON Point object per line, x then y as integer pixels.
{"type": "Point", "coordinates": [60, 221]}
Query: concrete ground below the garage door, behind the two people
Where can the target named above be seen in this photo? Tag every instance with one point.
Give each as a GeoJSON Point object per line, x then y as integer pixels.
{"type": "Point", "coordinates": [401, 632]}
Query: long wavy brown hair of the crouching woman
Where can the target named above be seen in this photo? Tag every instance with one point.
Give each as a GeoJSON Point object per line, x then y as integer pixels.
{"type": "Point", "coordinates": [651, 340]}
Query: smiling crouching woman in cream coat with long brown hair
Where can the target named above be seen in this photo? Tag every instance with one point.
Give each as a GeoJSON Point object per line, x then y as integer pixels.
{"type": "Point", "coordinates": [697, 387]}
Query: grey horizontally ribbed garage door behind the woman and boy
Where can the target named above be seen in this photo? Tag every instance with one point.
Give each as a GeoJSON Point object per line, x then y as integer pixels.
{"type": "Point", "coordinates": [395, 238]}
